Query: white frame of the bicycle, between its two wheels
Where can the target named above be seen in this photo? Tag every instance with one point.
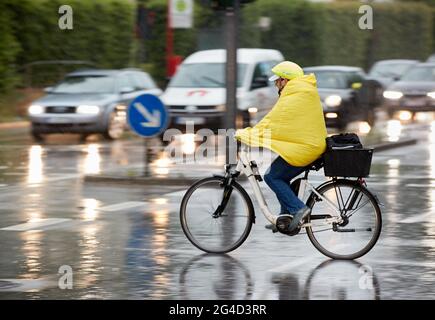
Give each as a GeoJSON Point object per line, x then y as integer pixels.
{"type": "Point", "coordinates": [244, 166]}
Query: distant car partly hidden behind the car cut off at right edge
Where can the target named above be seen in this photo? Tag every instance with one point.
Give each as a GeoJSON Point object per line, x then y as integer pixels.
{"type": "Point", "coordinates": [388, 71]}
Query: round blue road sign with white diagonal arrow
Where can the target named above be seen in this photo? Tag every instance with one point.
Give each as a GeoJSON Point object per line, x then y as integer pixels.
{"type": "Point", "coordinates": [147, 115]}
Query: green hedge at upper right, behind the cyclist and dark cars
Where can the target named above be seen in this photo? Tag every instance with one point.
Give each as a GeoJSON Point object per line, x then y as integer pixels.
{"type": "Point", "coordinates": [319, 33]}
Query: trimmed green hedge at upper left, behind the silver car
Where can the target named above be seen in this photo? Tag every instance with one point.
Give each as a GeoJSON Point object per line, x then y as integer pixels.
{"type": "Point", "coordinates": [103, 31]}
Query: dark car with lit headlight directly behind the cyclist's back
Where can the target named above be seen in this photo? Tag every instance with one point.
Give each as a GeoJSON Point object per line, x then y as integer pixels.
{"type": "Point", "coordinates": [340, 90]}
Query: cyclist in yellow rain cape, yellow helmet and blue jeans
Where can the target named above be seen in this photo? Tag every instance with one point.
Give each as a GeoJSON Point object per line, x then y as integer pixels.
{"type": "Point", "coordinates": [294, 129]}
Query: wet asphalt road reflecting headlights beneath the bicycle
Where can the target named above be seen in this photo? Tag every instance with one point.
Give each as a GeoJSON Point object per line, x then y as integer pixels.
{"type": "Point", "coordinates": [125, 242]}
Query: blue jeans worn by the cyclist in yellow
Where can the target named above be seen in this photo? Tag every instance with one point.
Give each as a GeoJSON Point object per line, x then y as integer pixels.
{"type": "Point", "coordinates": [278, 178]}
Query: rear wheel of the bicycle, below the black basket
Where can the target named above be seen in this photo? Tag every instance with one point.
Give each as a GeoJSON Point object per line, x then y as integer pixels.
{"type": "Point", "coordinates": [361, 226]}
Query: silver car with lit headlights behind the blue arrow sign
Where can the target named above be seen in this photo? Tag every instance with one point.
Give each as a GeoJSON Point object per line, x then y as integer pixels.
{"type": "Point", "coordinates": [90, 101]}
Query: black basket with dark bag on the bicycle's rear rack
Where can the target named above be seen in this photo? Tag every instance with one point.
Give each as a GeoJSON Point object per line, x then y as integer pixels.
{"type": "Point", "coordinates": [346, 157]}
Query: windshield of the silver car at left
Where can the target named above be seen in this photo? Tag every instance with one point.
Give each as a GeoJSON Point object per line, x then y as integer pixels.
{"type": "Point", "coordinates": [85, 84]}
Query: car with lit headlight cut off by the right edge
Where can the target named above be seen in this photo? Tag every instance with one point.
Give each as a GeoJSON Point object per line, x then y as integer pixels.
{"type": "Point", "coordinates": [414, 92]}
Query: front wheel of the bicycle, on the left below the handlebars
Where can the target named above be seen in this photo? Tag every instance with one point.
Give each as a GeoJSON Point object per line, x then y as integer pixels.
{"type": "Point", "coordinates": [211, 231]}
